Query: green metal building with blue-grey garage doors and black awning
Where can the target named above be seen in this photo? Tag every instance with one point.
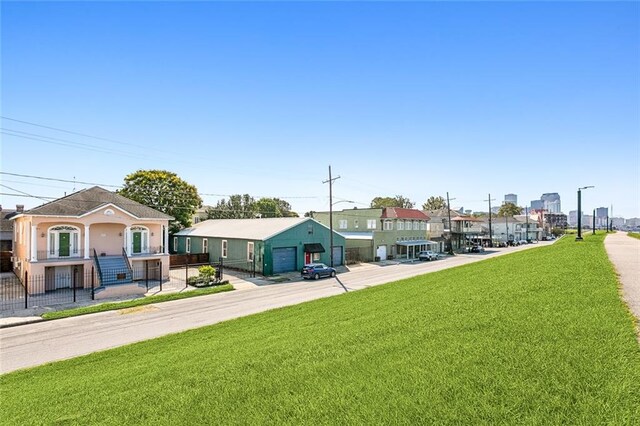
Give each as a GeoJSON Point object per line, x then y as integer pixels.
{"type": "Point", "coordinates": [275, 245]}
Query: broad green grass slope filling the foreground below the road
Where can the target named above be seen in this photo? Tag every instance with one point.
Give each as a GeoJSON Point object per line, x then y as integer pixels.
{"type": "Point", "coordinates": [536, 337]}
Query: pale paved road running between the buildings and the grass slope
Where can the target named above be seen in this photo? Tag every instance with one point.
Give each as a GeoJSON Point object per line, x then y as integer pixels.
{"type": "Point", "coordinates": [35, 344]}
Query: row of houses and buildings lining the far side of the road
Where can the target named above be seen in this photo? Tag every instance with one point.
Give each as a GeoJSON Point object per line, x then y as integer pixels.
{"type": "Point", "coordinates": [99, 230]}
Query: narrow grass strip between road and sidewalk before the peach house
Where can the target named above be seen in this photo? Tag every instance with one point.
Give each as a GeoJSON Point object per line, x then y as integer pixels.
{"type": "Point", "coordinates": [112, 306]}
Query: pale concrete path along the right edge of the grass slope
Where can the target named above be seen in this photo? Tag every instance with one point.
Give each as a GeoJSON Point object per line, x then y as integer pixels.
{"type": "Point", "coordinates": [624, 253]}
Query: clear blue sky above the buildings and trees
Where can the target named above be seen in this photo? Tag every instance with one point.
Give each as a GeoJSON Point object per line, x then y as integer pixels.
{"type": "Point", "coordinates": [413, 98]}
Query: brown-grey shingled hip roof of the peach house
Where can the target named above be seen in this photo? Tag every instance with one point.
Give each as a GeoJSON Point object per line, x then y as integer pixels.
{"type": "Point", "coordinates": [88, 200]}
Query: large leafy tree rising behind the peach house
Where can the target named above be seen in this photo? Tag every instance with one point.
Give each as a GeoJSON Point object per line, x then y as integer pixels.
{"type": "Point", "coordinates": [163, 191]}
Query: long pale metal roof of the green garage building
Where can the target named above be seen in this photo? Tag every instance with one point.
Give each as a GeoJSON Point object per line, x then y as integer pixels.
{"type": "Point", "coordinates": [245, 229]}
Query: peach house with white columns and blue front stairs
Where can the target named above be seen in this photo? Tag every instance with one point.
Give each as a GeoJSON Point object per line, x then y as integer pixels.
{"type": "Point", "coordinates": [94, 229]}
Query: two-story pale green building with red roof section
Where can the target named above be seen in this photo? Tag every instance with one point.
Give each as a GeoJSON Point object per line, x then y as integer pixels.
{"type": "Point", "coordinates": [379, 234]}
